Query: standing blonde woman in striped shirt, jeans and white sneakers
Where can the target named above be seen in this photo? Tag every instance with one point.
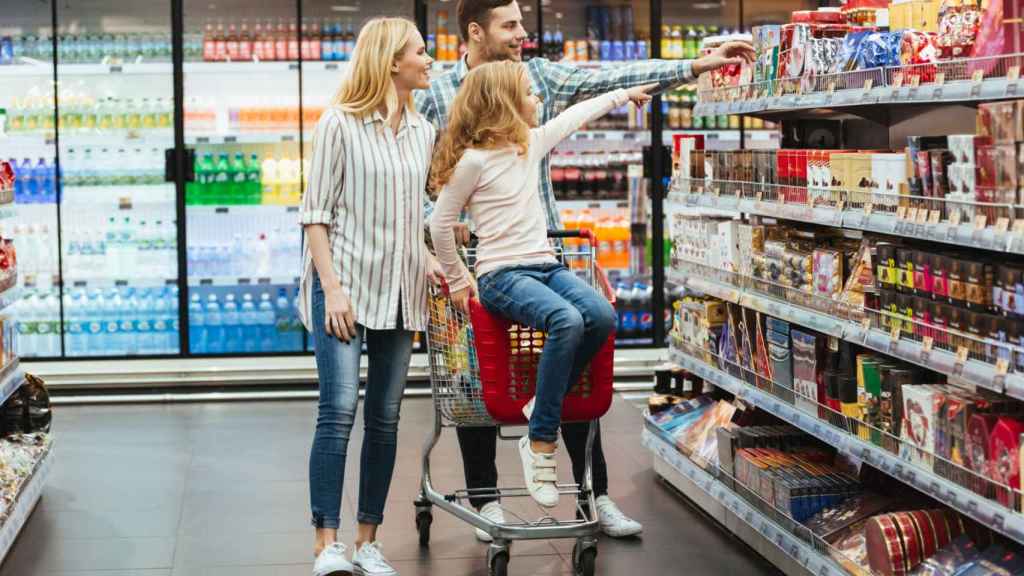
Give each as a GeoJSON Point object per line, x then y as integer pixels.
{"type": "Point", "coordinates": [365, 279]}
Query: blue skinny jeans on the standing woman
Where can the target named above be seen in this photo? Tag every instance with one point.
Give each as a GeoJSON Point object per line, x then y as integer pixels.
{"type": "Point", "coordinates": [338, 368]}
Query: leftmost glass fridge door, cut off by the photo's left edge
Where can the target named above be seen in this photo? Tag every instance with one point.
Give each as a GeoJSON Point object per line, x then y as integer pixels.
{"type": "Point", "coordinates": [27, 141]}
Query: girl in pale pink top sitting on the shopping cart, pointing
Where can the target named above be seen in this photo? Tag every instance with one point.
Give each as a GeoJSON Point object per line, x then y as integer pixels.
{"type": "Point", "coordinates": [489, 160]}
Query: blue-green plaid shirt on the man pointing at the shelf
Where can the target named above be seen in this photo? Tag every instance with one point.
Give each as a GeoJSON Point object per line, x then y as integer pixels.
{"type": "Point", "coordinates": [560, 86]}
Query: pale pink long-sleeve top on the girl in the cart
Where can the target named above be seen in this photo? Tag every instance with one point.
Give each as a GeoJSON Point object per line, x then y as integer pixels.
{"type": "Point", "coordinates": [500, 188]}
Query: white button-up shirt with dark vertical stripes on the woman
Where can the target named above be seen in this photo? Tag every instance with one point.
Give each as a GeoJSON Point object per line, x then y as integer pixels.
{"type": "Point", "coordinates": [367, 185]}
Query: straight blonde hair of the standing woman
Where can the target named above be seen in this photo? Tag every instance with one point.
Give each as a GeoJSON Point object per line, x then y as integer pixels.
{"type": "Point", "coordinates": [368, 88]}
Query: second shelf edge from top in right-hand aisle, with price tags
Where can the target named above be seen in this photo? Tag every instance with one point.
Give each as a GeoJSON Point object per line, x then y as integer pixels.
{"type": "Point", "coordinates": [838, 214]}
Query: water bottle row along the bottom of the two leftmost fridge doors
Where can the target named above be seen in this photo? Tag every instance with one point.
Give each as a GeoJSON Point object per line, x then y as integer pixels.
{"type": "Point", "coordinates": [112, 322]}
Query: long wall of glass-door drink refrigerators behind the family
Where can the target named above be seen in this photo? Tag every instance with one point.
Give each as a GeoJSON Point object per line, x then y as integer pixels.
{"type": "Point", "coordinates": [252, 85]}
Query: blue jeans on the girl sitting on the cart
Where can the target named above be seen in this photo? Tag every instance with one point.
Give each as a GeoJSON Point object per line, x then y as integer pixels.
{"type": "Point", "coordinates": [577, 320]}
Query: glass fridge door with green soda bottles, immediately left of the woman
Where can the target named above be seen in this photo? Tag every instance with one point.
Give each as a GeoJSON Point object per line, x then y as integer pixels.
{"type": "Point", "coordinates": [243, 121]}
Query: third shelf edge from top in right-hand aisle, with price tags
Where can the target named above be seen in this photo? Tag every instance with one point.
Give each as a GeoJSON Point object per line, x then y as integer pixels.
{"type": "Point", "coordinates": [985, 373]}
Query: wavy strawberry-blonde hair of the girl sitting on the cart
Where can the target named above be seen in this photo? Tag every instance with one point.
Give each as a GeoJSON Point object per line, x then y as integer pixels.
{"type": "Point", "coordinates": [485, 115]}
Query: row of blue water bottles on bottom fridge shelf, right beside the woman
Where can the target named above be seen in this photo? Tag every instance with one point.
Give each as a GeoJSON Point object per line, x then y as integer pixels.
{"type": "Point", "coordinates": [240, 321]}
